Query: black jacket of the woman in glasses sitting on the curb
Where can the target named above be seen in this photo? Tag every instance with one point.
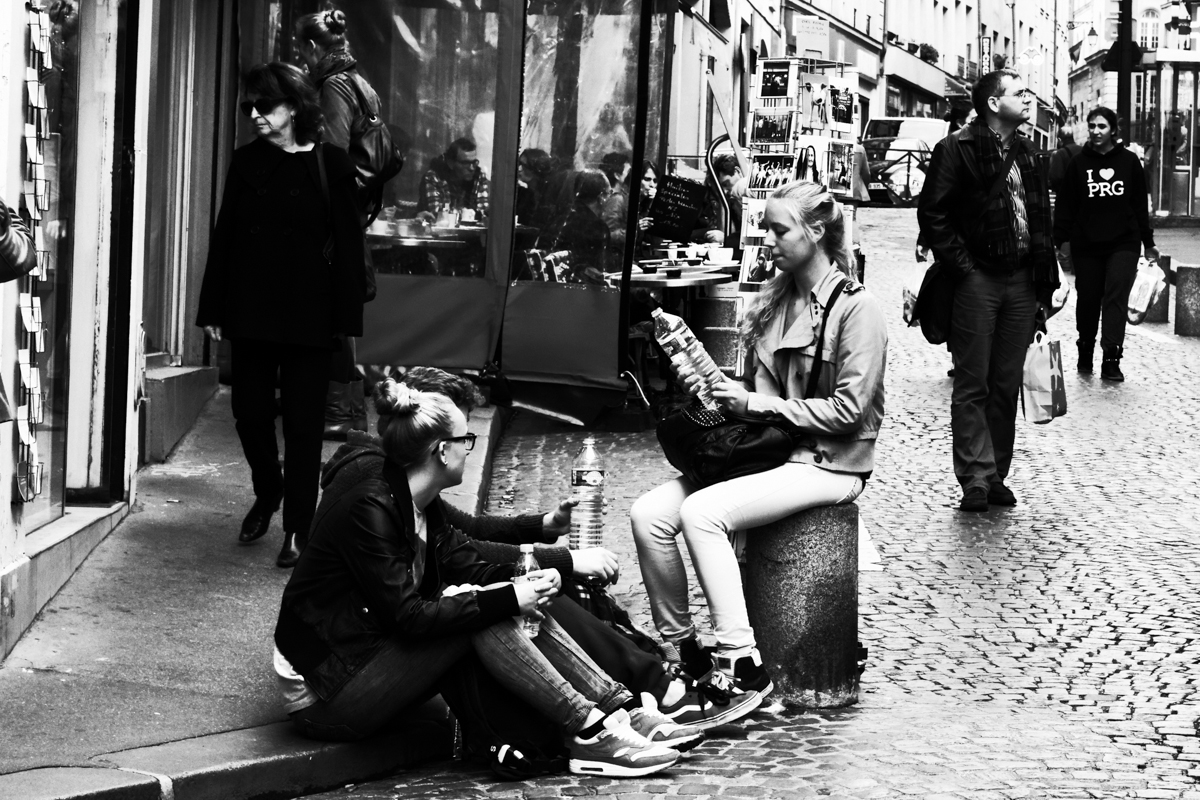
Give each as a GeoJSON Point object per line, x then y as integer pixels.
{"type": "Point", "coordinates": [365, 578]}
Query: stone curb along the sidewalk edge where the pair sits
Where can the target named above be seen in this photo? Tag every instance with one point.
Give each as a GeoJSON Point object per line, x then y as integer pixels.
{"type": "Point", "coordinates": [272, 761]}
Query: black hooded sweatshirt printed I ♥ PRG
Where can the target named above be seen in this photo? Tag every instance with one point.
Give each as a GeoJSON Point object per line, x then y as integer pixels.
{"type": "Point", "coordinates": [1103, 204]}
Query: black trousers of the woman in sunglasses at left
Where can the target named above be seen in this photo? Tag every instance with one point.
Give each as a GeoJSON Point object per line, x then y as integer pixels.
{"type": "Point", "coordinates": [303, 376]}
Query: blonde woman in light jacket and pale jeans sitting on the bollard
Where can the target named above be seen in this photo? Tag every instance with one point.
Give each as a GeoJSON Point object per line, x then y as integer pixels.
{"type": "Point", "coordinates": [835, 431]}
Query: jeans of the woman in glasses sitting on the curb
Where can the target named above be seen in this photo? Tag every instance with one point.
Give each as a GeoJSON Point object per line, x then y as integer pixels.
{"type": "Point", "coordinates": [550, 673]}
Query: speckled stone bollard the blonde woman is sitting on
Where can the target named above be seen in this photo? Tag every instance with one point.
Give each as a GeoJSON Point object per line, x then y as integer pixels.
{"type": "Point", "coordinates": [802, 593]}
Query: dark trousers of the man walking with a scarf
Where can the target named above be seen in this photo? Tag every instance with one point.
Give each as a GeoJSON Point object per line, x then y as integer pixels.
{"type": "Point", "coordinates": [991, 333]}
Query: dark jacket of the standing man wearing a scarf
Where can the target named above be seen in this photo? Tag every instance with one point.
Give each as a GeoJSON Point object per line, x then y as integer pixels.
{"type": "Point", "coordinates": [952, 206]}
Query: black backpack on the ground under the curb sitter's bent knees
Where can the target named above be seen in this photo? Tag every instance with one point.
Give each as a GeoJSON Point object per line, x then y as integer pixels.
{"type": "Point", "coordinates": [497, 727]}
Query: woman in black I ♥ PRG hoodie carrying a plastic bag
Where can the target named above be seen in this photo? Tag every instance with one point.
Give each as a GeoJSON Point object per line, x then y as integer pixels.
{"type": "Point", "coordinates": [1102, 224]}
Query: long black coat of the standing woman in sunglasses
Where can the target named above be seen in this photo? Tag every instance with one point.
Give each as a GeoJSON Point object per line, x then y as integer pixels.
{"type": "Point", "coordinates": [267, 276]}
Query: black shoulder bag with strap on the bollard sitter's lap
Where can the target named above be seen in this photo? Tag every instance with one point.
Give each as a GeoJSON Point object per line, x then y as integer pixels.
{"type": "Point", "coordinates": [712, 447]}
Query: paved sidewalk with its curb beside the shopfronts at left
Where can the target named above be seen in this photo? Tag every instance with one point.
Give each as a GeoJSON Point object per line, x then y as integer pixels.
{"type": "Point", "coordinates": [149, 675]}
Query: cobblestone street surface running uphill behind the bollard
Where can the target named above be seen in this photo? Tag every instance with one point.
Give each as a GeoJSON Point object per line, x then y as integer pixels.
{"type": "Point", "coordinates": [1049, 651]}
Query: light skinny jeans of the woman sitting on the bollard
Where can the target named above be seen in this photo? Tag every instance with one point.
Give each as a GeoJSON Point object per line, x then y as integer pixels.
{"type": "Point", "coordinates": [706, 518]}
